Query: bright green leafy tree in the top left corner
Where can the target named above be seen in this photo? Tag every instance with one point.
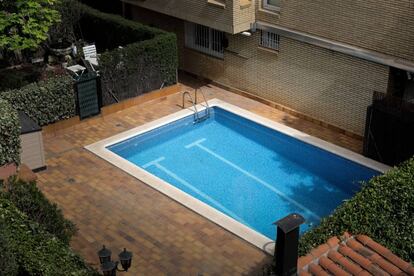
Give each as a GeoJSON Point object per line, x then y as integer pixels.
{"type": "Point", "coordinates": [24, 24]}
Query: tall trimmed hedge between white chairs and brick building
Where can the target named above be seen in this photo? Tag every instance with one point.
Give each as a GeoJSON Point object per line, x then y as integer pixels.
{"type": "Point", "coordinates": [138, 68]}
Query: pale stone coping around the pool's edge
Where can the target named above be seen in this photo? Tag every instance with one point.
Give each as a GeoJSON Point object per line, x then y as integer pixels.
{"type": "Point", "coordinates": [228, 223]}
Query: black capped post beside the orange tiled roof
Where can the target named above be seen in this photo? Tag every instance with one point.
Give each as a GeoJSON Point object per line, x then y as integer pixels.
{"type": "Point", "coordinates": [286, 253]}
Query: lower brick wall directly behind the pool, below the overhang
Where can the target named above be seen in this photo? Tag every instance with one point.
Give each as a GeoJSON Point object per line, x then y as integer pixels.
{"type": "Point", "coordinates": [329, 86]}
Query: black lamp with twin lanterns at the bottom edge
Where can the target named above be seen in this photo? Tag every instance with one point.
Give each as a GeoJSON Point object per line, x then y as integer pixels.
{"type": "Point", "coordinates": [108, 267]}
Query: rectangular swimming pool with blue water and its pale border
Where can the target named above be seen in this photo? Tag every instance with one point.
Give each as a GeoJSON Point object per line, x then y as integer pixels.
{"type": "Point", "coordinates": [240, 170]}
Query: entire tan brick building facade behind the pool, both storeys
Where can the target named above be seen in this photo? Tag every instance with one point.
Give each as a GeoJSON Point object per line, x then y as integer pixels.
{"type": "Point", "coordinates": [320, 58]}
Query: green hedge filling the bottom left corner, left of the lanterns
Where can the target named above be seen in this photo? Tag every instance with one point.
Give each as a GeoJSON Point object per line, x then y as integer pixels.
{"type": "Point", "coordinates": [36, 251]}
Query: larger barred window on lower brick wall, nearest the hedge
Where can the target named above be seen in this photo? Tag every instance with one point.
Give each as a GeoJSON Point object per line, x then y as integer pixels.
{"type": "Point", "coordinates": [204, 39]}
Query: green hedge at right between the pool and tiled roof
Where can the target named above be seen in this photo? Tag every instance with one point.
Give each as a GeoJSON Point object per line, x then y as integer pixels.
{"type": "Point", "coordinates": [383, 210]}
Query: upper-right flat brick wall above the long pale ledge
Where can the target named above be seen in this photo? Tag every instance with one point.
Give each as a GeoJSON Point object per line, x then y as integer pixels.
{"type": "Point", "coordinates": [379, 25]}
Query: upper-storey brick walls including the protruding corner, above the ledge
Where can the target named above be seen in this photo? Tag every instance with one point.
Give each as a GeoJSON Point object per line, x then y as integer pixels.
{"type": "Point", "coordinates": [379, 25]}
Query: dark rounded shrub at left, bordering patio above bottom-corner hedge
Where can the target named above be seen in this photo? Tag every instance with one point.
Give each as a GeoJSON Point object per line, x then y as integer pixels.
{"type": "Point", "coordinates": [31, 201]}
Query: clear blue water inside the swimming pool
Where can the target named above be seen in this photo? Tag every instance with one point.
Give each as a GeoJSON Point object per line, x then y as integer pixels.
{"type": "Point", "coordinates": [253, 174]}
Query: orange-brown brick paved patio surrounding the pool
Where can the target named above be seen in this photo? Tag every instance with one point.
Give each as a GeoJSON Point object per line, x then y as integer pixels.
{"type": "Point", "coordinates": [112, 208]}
